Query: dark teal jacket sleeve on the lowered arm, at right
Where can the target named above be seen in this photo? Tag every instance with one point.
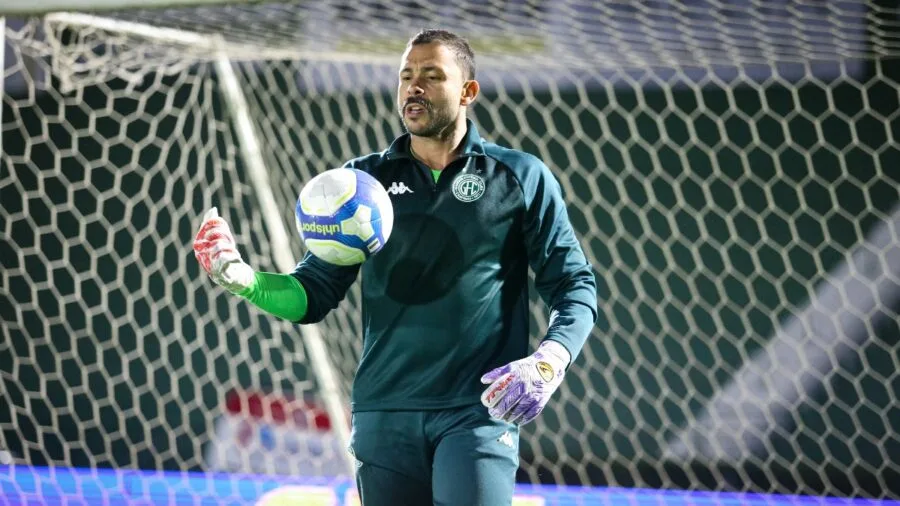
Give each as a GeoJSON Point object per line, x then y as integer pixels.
{"type": "Point", "coordinates": [563, 277]}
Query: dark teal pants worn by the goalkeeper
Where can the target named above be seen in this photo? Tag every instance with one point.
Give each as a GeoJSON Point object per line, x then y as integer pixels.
{"type": "Point", "coordinates": [455, 457]}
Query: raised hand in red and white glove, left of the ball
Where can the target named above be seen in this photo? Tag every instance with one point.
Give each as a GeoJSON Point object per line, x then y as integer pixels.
{"type": "Point", "coordinates": [217, 253]}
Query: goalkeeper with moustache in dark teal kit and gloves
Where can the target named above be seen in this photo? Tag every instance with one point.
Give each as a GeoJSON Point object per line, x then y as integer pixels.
{"type": "Point", "coordinates": [445, 303]}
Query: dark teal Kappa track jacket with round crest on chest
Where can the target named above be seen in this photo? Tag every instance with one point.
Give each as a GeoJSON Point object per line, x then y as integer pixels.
{"type": "Point", "coordinates": [446, 299]}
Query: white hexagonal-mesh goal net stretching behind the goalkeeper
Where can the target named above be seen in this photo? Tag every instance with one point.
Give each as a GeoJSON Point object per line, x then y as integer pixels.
{"type": "Point", "coordinates": [730, 167]}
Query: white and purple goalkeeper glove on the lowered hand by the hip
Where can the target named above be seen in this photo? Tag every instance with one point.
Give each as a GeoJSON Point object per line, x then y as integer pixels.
{"type": "Point", "coordinates": [519, 390]}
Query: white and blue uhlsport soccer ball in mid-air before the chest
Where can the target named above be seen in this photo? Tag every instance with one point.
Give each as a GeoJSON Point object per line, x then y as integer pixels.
{"type": "Point", "coordinates": [344, 216]}
